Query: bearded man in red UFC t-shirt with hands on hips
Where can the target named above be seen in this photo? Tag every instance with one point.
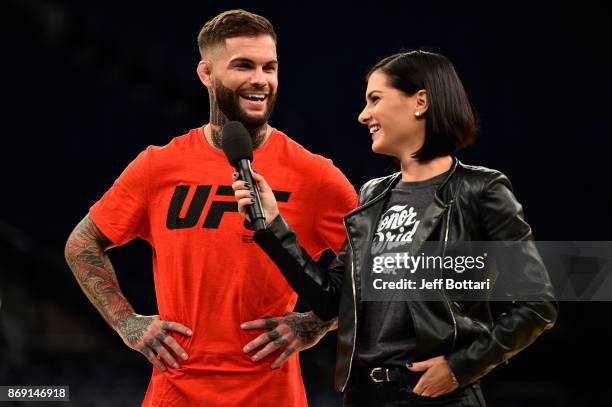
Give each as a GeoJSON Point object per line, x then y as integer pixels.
{"type": "Point", "coordinates": [208, 279]}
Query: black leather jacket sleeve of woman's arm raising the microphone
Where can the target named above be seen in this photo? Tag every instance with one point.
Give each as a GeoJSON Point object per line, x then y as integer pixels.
{"type": "Point", "coordinates": [320, 290]}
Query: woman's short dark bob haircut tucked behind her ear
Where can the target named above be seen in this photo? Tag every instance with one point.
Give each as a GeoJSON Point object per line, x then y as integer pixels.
{"type": "Point", "coordinates": [451, 124]}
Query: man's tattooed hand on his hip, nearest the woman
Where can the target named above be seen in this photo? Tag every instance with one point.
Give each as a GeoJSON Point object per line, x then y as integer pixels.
{"type": "Point", "coordinates": [298, 331]}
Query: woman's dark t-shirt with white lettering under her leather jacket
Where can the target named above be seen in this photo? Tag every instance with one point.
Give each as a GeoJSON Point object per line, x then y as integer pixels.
{"type": "Point", "coordinates": [385, 333]}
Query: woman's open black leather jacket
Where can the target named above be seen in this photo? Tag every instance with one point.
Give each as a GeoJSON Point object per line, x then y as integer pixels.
{"type": "Point", "coordinates": [472, 204]}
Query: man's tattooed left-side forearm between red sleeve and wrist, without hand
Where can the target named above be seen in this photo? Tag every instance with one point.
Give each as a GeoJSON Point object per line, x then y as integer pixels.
{"type": "Point", "coordinates": [94, 272]}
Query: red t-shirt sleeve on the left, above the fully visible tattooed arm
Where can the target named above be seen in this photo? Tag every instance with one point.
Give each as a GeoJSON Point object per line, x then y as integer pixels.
{"type": "Point", "coordinates": [122, 212]}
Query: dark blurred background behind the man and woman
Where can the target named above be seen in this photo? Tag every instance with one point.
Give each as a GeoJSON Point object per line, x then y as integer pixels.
{"type": "Point", "coordinates": [88, 85]}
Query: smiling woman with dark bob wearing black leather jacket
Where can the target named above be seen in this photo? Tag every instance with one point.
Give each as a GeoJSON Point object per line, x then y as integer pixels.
{"type": "Point", "coordinates": [417, 352]}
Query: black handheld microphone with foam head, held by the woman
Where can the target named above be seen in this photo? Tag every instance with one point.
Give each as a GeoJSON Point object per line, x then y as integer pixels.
{"type": "Point", "coordinates": [238, 148]}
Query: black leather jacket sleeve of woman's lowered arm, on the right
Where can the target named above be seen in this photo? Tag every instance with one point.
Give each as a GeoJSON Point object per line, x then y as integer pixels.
{"type": "Point", "coordinates": [531, 307]}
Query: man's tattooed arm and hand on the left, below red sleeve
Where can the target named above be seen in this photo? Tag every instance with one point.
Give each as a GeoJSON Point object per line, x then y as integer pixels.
{"type": "Point", "coordinates": [86, 255]}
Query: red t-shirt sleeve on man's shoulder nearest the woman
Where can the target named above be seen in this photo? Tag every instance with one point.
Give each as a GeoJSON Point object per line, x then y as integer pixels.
{"type": "Point", "coordinates": [338, 197]}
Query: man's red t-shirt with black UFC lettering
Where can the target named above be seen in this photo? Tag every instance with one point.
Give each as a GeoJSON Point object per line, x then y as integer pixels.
{"type": "Point", "coordinates": [209, 275]}
